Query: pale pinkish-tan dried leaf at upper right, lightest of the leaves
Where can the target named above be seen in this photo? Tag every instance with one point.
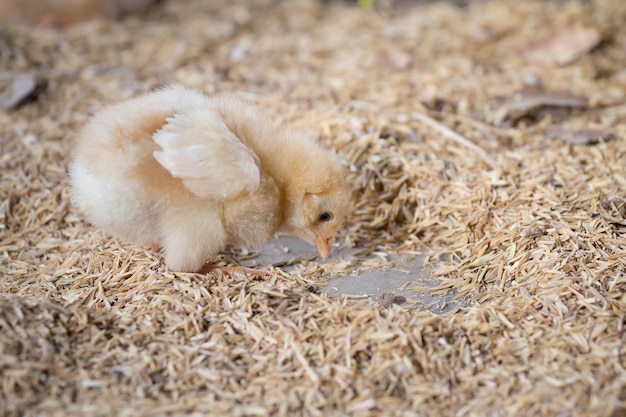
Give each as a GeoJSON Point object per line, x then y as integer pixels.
{"type": "Point", "coordinates": [563, 47]}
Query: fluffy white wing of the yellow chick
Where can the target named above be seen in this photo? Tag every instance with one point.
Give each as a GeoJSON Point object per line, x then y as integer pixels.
{"type": "Point", "coordinates": [200, 149]}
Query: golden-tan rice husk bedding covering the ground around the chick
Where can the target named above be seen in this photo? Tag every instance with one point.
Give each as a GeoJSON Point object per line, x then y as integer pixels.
{"type": "Point", "coordinates": [422, 103]}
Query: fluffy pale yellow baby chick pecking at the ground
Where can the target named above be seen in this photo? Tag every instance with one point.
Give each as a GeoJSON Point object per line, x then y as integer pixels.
{"type": "Point", "coordinates": [190, 174]}
